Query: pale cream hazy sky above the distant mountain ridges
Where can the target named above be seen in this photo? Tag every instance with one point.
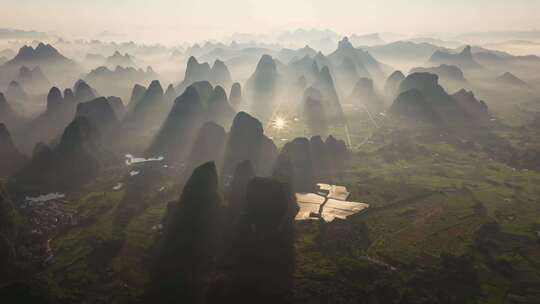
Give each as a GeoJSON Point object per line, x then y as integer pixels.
{"type": "Point", "coordinates": [178, 20]}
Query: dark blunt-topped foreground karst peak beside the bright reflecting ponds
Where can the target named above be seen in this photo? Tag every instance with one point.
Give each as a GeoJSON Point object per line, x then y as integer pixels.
{"type": "Point", "coordinates": [262, 252]}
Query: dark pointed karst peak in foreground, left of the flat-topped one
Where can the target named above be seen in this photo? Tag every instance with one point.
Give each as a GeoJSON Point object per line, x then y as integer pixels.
{"type": "Point", "coordinates": [187, 249]}
